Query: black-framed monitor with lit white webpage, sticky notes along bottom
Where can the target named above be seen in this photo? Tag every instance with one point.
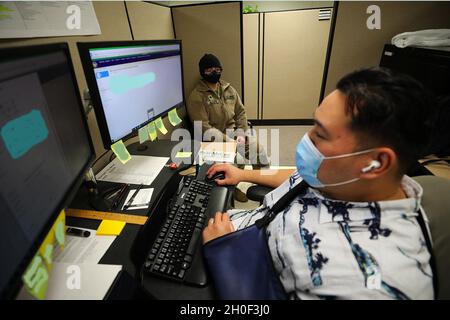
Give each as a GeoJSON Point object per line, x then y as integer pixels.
{"type": "Point", "coordinates": [131, 83]}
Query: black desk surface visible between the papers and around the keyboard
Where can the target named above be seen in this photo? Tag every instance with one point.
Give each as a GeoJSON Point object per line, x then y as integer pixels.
{"type": "Point", "coordinates": [120, 250]}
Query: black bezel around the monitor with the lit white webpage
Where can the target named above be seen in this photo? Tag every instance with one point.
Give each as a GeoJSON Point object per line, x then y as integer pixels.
{"type": "Point", "coordinates": [83, 50]}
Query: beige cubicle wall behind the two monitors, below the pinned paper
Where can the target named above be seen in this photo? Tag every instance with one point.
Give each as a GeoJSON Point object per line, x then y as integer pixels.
{"type": "Point", "coordinates": [148, 21]}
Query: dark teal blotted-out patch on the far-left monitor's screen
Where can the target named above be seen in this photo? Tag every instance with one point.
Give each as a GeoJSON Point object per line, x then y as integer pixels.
{"type": "Point", "coordinates": [21, 134]}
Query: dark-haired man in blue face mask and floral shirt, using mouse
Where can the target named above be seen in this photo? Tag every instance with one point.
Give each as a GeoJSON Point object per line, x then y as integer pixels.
{"type": "Point", "coordinates": [353, 234]}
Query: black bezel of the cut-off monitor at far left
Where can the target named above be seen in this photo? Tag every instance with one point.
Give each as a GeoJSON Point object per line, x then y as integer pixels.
{"type": "Point", "coordinates": [12, 288]}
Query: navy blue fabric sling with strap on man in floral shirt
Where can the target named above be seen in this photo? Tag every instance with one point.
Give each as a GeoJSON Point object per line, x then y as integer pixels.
{"type": "Point", "coordinates": [240, 262]}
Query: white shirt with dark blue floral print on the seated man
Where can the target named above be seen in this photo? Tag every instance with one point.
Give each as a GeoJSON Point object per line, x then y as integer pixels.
{"type": "Point", "coordinates": [329, 249]}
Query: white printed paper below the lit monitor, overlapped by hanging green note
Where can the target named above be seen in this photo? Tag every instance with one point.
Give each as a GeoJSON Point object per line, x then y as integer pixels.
{"type": "Point", "coordinates": [139, 170]}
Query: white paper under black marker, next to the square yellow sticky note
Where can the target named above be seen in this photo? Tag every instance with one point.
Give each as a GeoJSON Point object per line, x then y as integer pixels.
{"type": "Point", "coordinates": [84, 250]}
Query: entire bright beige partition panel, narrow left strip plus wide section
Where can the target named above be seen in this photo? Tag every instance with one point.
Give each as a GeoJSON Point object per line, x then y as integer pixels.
{"type": "Point", "coordinates": [290, 49]}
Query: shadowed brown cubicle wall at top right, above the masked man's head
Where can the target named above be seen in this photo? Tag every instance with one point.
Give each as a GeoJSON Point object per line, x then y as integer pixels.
{"type": "Point", "coordinates": [355, 46]}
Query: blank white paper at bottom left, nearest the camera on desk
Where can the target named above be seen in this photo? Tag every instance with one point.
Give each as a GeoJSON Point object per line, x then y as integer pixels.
{"type": "Point", "coordinates": [94, 281]}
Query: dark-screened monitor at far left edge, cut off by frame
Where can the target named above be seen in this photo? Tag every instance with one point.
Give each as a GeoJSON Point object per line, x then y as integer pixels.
{"type": "Point", "coordinates": [45, 150]}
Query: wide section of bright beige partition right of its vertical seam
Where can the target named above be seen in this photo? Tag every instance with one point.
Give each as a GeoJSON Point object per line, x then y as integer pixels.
{"type": "Point", "coordinates": [295, 46]}
